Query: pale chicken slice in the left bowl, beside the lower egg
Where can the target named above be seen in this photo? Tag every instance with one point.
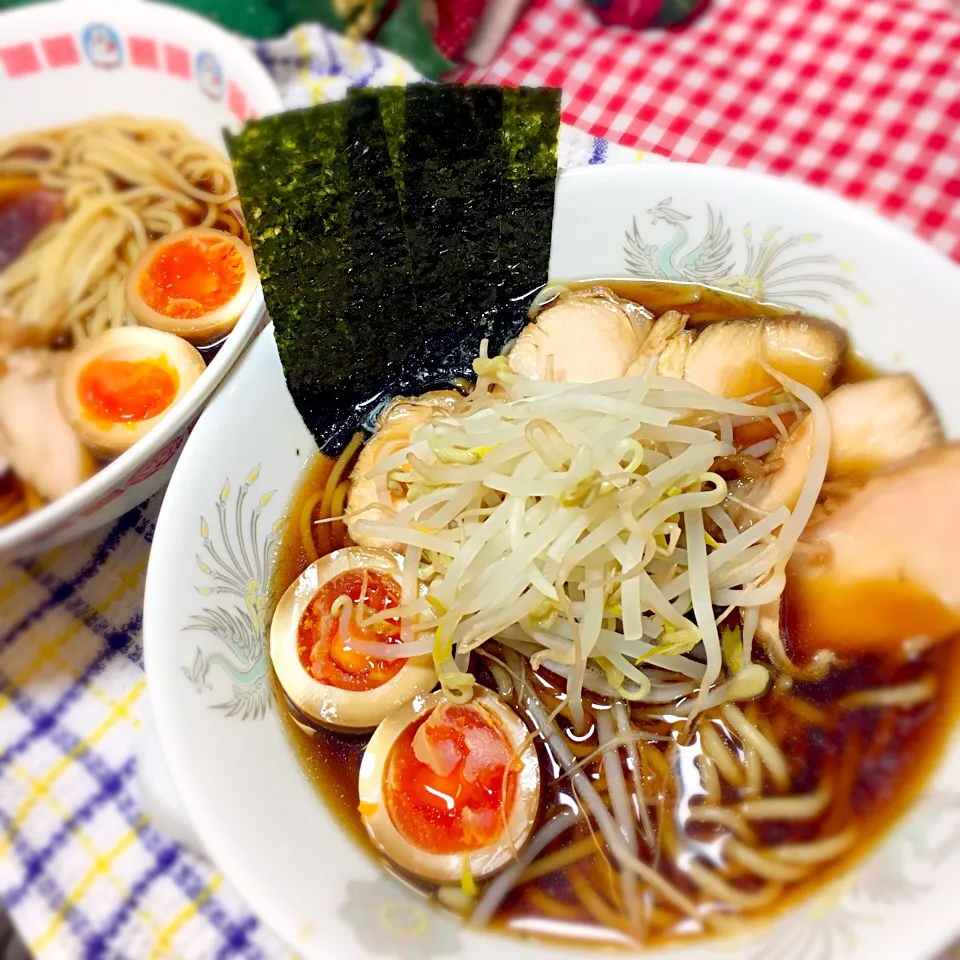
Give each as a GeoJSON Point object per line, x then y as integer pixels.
{"type": "Point", "coordinates": [34, 437]}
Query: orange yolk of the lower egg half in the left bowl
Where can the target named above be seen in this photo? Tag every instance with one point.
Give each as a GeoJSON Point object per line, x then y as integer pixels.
{"type": "Point", "coordinates": [127, 391]}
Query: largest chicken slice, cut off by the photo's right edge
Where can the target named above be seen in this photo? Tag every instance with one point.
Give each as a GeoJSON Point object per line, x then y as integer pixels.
{"type": "Point", "coordinates": [885, 566]}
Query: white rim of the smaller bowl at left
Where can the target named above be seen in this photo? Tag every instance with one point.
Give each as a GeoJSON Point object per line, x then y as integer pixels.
{"type": "Point", "coordinates": [22, 533]}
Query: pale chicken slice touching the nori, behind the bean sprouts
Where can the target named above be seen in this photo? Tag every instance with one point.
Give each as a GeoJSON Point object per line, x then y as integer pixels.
{"type": "Point", "coordinates": [584, 336]}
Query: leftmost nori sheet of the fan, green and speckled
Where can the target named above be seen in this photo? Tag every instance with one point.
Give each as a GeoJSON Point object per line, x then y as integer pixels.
{"type": "Point", "coordinates": [322, 209]}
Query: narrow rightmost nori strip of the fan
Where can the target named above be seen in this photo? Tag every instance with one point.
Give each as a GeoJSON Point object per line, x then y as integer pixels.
{"type": "Point", "coordinates": [531, 126]}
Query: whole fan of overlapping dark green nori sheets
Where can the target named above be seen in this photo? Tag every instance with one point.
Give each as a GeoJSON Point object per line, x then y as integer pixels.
{"type": "Point", "coordinates": [393, 231]}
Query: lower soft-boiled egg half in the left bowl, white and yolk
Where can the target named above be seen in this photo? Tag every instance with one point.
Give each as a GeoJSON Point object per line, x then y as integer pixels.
{"type": "Point", "coordinates": [116, 387]}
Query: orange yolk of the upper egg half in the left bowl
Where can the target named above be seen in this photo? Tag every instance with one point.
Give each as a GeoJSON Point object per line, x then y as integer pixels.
{"type": "Point", "coordinates": [192, 277]}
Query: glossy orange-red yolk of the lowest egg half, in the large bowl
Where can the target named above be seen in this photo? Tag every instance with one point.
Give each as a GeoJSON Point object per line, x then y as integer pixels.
{"type": "Point", "coordinates": [448, 779]}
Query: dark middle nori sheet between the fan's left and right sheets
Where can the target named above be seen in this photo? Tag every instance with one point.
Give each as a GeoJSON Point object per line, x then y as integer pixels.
{"type": "Point", "coordinates": [452, 169]}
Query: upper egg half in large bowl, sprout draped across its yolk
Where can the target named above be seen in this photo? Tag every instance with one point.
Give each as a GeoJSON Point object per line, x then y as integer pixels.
{"type": "Point", "coordinates": [339, 602]}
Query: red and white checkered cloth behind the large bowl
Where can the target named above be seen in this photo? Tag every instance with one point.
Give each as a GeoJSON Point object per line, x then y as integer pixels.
{"type": "Point", "coordinates": [858, 96]}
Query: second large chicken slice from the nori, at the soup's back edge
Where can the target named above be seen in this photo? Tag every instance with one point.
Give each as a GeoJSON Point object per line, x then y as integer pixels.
{"type": "Point", "coordinates": [726, 357]}
